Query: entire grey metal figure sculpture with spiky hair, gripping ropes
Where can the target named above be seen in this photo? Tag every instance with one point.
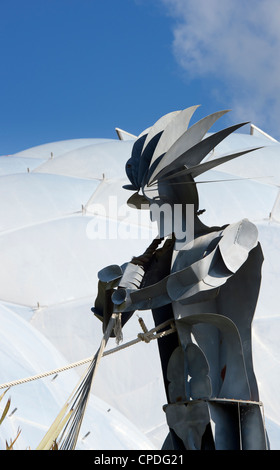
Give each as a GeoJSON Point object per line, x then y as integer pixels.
{"type": "Point", "coordinates": [208, 284]}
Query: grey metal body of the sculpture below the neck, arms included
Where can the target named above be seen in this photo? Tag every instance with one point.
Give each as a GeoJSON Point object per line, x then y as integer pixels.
{"type": "Point", "coordinates": [210, 289]}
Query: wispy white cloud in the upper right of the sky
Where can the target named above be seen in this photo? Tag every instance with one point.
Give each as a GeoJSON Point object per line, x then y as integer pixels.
{"type": "Point", "coordinates": [237, 43]}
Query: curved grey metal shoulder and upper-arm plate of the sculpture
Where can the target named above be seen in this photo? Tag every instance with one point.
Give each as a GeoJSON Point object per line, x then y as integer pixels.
{"type": "Point", "coordinates": [213, 259]}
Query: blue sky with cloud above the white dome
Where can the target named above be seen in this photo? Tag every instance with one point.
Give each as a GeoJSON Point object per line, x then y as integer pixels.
{"type": "Point", "coordinates": [80, 68]}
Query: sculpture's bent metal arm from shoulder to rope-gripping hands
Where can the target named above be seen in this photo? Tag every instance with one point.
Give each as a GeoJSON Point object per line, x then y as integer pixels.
{"type": "Point", "coordinates": [207, 274]}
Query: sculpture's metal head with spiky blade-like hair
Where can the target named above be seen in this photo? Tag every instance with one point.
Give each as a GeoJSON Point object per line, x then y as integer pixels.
{"type": "Point", "coordinates": [167, 157]}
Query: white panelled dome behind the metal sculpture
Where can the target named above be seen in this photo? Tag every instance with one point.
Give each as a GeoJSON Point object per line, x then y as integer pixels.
{"type": "Point", "coordinates": [48, 282]}
